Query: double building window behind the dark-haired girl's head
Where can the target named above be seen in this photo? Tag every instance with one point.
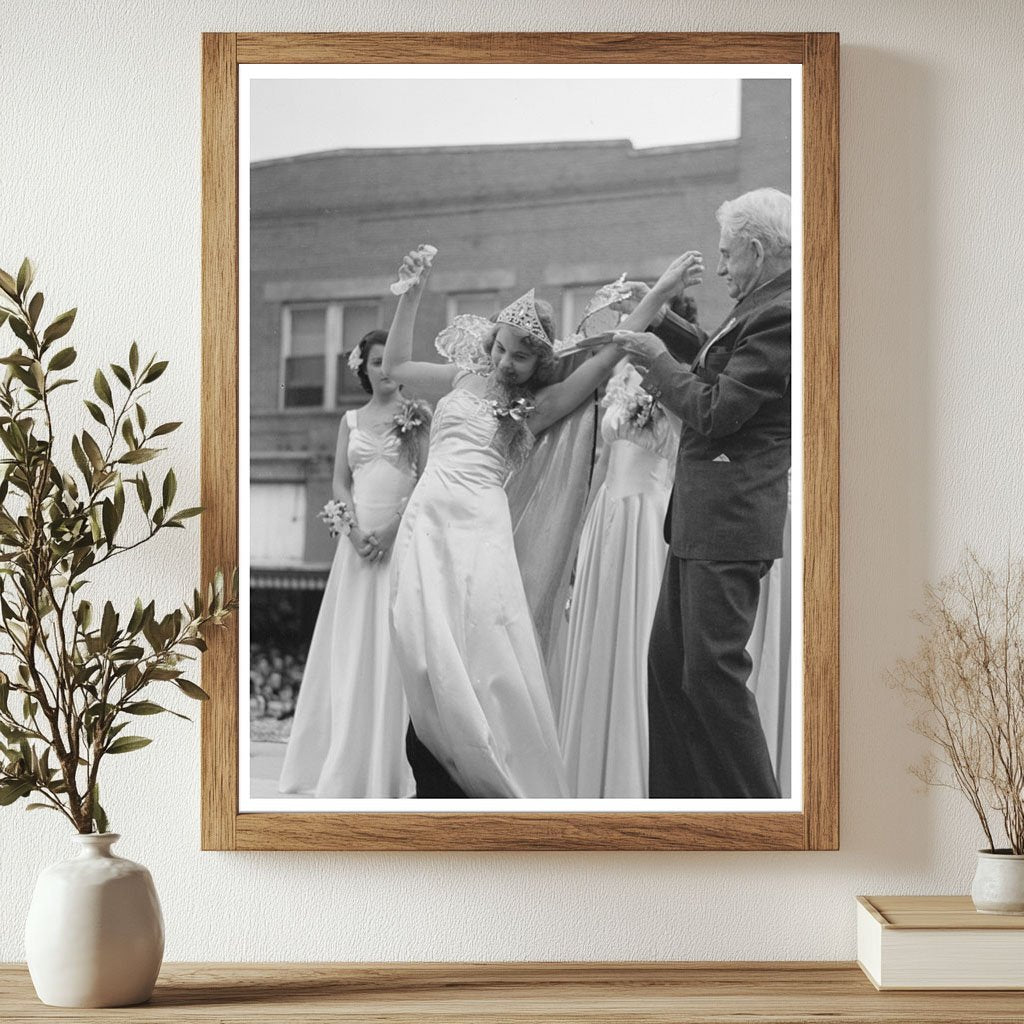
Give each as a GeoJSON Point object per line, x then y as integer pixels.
{"type": "Point", "coordinates": [316, 344]}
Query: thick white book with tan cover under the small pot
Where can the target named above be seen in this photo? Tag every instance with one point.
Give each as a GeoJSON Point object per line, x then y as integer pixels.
{"type": "Point", "coordinates": [938, 943]}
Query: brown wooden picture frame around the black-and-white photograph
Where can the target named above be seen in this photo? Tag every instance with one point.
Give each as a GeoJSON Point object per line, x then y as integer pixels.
{"type": "Point", "coordinates": [814, 828]}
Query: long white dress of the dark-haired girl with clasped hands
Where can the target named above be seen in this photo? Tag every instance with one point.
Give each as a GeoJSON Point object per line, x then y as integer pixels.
{"type": "Point", "coordinates": [349, 739]}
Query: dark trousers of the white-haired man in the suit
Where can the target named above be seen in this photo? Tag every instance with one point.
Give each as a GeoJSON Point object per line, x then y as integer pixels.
{"type": "Point", "coordinates": [706, 736]}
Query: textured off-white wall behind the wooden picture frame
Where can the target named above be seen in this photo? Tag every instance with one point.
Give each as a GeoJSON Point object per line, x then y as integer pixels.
{"type": "Point", "coordinates": [100, 182]}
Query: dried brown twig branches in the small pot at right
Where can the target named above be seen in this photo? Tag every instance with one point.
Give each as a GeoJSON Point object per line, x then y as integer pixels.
{"type": "Point", "coordinates": [967, 681]}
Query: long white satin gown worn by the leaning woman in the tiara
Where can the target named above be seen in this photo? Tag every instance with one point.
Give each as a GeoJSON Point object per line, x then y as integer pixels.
{"type": "Point", "coordinates": [464, 641]}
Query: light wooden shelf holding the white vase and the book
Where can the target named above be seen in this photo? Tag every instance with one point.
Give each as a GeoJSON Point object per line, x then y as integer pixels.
{"type": "Point", "coordinates": [666, 994]}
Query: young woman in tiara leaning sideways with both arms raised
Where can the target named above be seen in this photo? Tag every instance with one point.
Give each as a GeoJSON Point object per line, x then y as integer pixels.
{"type": "Point", "coordinates": [464, 639]}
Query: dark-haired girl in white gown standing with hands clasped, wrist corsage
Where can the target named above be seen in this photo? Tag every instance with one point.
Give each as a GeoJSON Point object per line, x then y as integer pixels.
{"type": "Point", "coordinates": [349, 739]}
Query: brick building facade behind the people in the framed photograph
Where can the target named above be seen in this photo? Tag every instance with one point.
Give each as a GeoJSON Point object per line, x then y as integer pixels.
{"type": "Point", "coordinates": [329, 230]}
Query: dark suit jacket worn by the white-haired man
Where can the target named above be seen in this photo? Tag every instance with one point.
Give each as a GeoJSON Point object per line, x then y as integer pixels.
{"type": "Point", "coordinates": [730, 500]}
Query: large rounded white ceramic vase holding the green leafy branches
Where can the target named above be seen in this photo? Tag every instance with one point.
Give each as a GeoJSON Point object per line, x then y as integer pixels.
{"type": "Point", "coordinates": [96, 935]}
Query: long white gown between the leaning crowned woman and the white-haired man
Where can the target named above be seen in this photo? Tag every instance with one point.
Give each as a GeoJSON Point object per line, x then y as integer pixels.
{"type": "Point", "coordinates": [604, 716]}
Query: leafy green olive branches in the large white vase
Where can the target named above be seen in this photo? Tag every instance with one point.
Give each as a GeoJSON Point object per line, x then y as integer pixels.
{"type": "Point", "coordinates": [81, 674]}
